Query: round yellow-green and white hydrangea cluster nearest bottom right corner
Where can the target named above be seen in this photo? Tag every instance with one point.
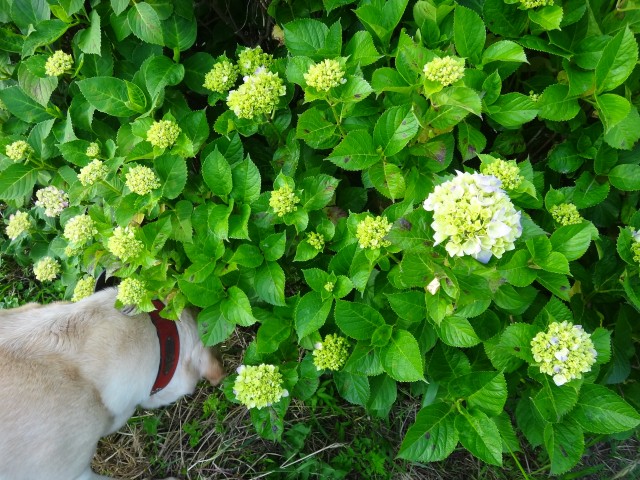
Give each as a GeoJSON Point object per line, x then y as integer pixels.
{"type": "Point", "coordinates": [564, 351]}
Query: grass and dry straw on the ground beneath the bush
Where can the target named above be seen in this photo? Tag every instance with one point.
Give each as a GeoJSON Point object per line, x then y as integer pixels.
{"type": "Point", "coordinates": [204, 436]}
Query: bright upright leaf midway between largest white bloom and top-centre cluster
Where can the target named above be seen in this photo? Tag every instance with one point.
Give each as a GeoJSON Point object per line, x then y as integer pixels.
{"type": "Point", "coordinates": [394, 129]}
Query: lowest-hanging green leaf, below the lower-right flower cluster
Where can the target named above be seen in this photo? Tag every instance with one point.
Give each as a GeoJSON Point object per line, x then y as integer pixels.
{"type": "Point", "coordinates": [564, 443]}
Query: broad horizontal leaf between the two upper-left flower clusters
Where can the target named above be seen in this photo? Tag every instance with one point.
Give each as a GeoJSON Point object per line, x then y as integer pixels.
{"type": "Point", "coordinates": [113, 96]}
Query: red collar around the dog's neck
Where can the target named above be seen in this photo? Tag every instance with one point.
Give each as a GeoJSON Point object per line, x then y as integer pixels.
{"type": "Point", "coordinates": [169, 347]}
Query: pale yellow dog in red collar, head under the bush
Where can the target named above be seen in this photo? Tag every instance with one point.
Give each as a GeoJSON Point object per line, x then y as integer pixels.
{"type": "Point", "coordinates": [71, 373]}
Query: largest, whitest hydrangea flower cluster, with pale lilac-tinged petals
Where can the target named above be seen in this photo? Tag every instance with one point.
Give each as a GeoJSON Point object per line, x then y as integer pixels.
{"type": "Point", "coordinates": [475, 215]}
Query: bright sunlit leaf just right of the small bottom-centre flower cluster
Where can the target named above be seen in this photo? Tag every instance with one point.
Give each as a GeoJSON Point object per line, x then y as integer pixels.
{"type": "Point", "coordinates": [401, 358]}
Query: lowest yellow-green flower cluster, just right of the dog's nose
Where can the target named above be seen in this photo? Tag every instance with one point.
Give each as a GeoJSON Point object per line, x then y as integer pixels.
{"type": "Point", "coordinates": [259, 386]}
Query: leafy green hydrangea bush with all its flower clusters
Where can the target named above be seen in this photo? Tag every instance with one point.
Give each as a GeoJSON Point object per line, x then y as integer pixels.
{"type": "Point", "coordinates": [433, 200]}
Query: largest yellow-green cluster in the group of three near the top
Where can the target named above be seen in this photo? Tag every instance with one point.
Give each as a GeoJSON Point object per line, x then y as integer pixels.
{"type": "Point", "coordinates": [257, 95]}
